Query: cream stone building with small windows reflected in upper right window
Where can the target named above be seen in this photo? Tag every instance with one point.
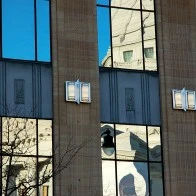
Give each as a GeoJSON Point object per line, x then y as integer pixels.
{"type": "Point", "coordinates": [133, 37]}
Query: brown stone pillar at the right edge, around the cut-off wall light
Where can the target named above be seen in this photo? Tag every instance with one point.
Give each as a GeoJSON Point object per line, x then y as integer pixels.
{"type": "Point", "coordinates": [176, 24]}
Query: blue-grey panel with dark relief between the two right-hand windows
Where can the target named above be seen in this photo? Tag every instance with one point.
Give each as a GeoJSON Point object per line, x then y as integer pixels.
{"type": "Point", "coordinates": [130, 97]}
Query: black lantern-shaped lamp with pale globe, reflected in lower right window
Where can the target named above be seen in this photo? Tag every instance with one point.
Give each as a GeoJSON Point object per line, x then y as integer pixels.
{"type": "Point", "coordinates": [108, 144]}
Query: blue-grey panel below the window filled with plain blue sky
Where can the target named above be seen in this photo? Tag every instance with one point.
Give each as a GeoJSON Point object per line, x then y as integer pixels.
{"type": "Point", "coordinates": [26, 90]}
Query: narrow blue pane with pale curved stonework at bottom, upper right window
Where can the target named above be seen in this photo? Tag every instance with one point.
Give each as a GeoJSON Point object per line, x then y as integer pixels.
{"type": "Point", "coordinates": [103, 21]}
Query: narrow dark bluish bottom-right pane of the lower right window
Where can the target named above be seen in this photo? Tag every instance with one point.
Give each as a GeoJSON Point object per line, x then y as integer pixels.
{"type": "Point", "coordinates": [156, 179]}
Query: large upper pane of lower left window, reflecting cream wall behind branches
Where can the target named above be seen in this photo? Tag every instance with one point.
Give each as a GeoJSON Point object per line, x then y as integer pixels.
{"type": "Point", "coordinates": [19, 136]}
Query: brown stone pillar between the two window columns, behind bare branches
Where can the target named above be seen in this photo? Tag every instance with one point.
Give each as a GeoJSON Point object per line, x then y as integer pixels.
{"type": "Point", "coordinates": [74, 56]}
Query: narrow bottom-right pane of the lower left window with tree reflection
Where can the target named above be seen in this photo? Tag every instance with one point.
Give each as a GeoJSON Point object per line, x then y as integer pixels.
{"type": "Point", "coordinates": [45, 176]}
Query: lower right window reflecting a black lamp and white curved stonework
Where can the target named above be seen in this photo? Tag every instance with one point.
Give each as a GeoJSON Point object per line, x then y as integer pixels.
{"type": "Point", "coordinates": [134, 167]}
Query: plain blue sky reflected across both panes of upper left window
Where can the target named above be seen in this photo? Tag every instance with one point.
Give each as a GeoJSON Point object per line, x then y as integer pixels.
{"type": "Point", "coordinates": [18, 30]}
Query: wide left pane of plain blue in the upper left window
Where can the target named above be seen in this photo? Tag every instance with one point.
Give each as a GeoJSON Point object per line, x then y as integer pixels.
{"type": "Point", "coordinates": [18, 29]}
